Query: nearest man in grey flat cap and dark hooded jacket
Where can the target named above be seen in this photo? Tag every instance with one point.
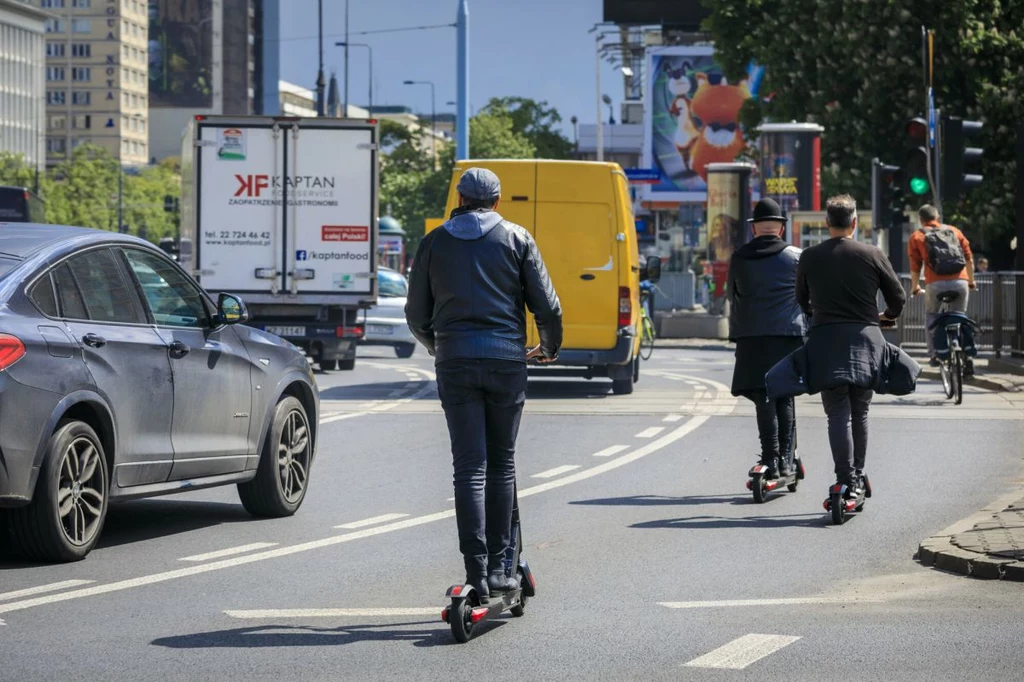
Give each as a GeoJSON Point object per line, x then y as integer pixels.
{"type": "Point", "coordinates": [474, 279]}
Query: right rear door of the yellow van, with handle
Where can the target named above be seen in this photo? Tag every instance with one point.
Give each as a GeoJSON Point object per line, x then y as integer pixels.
{"type": "Point", "coordinates": [576, 231]}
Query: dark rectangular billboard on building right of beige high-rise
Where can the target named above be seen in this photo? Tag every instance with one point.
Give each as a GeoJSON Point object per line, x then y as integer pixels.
{"type": "Point", "coordinates": [182, 54]}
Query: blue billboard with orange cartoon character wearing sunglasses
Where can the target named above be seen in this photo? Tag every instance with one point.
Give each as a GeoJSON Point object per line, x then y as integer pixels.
{"type": "Point", "coordinates": [692, 120]}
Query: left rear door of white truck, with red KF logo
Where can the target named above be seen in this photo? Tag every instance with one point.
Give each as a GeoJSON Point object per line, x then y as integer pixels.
{"type": "Point", "coordinates": [239, 208]}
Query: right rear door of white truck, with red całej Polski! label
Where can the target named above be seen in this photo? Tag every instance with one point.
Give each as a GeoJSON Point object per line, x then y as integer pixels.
{"type": "Point", "coordinates": [331, 198]}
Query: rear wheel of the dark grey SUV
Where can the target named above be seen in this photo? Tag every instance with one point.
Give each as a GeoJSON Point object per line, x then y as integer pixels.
{"type": "Point", "coordinates": [66, 517]}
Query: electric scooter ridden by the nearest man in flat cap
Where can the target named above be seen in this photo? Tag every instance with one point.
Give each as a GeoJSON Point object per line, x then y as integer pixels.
{"type": "Point", "coordinates": [466, 613]}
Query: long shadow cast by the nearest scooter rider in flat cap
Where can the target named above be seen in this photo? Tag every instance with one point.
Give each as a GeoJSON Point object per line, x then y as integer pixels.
{"type": "Point", "coordinates": [429, 634]}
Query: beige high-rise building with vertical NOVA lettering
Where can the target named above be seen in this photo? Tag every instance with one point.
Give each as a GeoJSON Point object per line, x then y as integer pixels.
{"type": "Point", "coordinates": [97, 78]}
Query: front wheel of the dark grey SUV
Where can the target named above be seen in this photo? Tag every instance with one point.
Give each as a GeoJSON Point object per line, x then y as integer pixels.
{"type": "Point", "coordinates": [283, 474]}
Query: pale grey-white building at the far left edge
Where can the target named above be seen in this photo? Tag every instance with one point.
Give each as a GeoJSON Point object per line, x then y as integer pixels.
{"type": "Point", "coordinates": [23, 86]}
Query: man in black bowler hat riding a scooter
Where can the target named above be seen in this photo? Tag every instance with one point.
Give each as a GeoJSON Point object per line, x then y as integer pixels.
{"type": "Point", "coordinates": [766, 324]}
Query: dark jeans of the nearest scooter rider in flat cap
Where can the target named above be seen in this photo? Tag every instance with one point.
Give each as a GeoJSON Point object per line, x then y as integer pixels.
{"type": "Point", "coordinates": [483, 402]}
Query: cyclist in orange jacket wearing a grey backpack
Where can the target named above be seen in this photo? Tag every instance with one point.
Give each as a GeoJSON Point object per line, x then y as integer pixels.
{"type": "Point", "coordinates": [946, 255]}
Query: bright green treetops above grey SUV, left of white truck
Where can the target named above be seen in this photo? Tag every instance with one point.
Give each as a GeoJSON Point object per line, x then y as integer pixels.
{"type": "Point", "coordinates": [84, 192]}
